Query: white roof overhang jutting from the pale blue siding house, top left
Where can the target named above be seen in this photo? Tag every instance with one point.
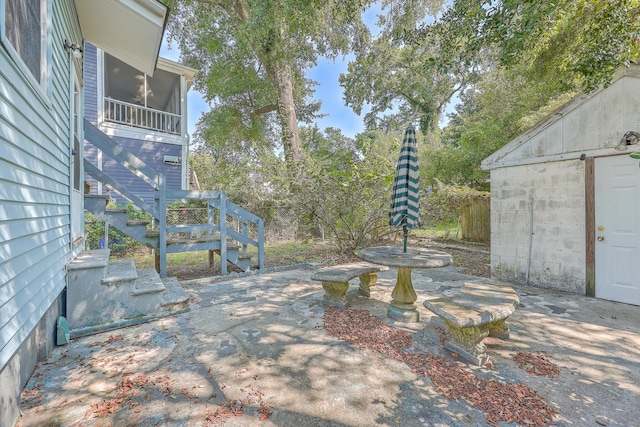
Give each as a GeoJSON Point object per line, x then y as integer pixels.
{"type": "Point", "coordinates": [130, 30]}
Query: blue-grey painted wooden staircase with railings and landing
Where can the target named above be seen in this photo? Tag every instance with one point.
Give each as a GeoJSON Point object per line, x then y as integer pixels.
{"type": "Point", "coordinates": [213, 235]}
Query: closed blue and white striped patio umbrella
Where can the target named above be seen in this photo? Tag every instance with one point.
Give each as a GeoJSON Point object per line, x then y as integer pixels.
{"type": "Point", "coordinates": [405, 198]}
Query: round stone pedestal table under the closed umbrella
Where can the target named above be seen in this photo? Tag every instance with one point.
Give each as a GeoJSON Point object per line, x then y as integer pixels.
{"type": "Point", "coordinates": [403, 307]}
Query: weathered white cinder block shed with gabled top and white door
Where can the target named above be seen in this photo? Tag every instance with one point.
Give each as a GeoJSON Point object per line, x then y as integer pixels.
{"type": "Point", "coordinates": [565, 197]}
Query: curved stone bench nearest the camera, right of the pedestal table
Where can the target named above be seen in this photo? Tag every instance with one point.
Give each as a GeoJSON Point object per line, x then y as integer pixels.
{"type": "Point", "coordinates": [473, 313]}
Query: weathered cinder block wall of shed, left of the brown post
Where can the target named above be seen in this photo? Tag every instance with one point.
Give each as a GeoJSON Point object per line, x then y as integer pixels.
{"type": "Point", "coordinates": [558, 241]}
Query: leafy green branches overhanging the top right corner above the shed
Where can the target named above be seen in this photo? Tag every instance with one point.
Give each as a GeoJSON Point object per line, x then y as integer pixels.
{"type": "Point", "coordinates": [578, 43]}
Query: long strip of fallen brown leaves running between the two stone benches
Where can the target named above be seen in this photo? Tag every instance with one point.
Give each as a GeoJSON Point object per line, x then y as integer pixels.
{"type": "Point", "coordinates": [509, 402]}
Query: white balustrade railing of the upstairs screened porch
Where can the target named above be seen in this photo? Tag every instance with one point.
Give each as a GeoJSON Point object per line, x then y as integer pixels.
{"type": "Point", "coordinates": [128, 114]}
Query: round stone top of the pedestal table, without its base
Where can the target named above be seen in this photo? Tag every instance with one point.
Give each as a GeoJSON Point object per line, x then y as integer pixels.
{"type": "Point", "coordinates": [415, 257]}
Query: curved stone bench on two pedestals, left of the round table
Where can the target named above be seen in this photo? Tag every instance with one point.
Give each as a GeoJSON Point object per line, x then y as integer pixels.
{"type": "Point", "coordinates": [335, 280]}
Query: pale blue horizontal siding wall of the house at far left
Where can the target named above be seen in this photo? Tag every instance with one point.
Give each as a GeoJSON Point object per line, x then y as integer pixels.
{"type": "Point", "coordinates": [34, 206]}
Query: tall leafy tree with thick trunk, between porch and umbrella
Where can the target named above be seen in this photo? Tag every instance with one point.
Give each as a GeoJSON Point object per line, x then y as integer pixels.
{"type": "Point", "coordinates": [252, 58]}
